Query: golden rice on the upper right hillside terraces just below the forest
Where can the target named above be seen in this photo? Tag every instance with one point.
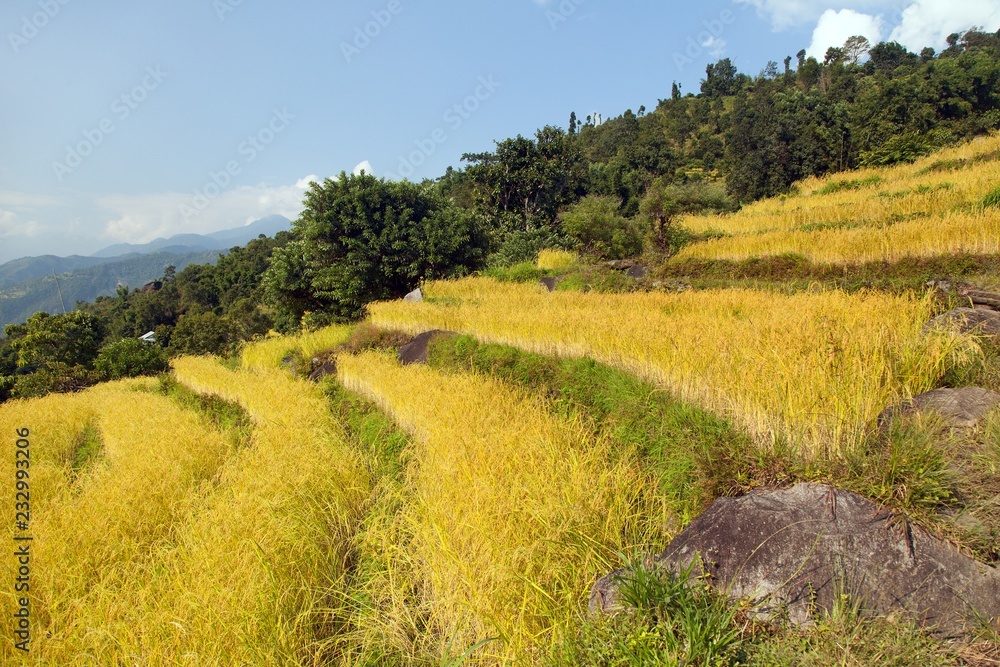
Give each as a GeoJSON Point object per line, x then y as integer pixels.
{"type": "Point", "coordinates": [921, 209]}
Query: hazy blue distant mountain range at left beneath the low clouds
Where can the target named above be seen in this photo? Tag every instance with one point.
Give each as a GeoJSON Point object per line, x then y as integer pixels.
{"type": "Point", "coordinates": [31, 284]}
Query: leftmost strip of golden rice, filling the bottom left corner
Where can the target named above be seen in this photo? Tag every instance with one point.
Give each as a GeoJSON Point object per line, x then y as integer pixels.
{"type": "Point", "coordinates": [100, 532]}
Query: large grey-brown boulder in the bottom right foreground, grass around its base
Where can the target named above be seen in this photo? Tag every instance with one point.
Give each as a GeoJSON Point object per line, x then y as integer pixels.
{"type": "Point", "coordinates": [800, 549]}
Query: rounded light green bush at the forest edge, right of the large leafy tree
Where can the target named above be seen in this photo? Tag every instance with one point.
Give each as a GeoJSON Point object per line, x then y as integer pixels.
{"type": "Point", "coordinates": [596, 226]}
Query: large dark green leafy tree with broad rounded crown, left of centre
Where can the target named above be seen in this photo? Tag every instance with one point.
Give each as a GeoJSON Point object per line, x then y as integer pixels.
{"type": "Point", "coordinates": [362, 239]}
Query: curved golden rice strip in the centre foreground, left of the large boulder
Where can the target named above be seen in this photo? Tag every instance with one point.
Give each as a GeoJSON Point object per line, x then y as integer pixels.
{"type": "Point", "coordinates": [512, 513]}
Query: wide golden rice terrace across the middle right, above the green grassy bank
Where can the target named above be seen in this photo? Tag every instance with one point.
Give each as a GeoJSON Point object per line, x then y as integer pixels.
{"type": "Point", "coordinates": [814, 368]}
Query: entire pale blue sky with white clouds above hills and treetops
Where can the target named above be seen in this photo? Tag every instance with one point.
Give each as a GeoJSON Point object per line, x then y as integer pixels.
{"type": "Point", "coordinates": [125, 121]}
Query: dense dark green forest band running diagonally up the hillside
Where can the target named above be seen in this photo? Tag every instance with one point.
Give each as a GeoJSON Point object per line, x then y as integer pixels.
{"type": "Point", "coordinates": [608, 188]}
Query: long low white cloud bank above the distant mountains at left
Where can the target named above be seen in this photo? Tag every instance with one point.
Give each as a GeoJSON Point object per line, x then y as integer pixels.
{"type": "Point", "coordinates": [142, 218]}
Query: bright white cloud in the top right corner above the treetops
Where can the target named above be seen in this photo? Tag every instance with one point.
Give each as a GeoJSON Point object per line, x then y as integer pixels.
{"type": "Point", "coordinates": [929, 22]}
